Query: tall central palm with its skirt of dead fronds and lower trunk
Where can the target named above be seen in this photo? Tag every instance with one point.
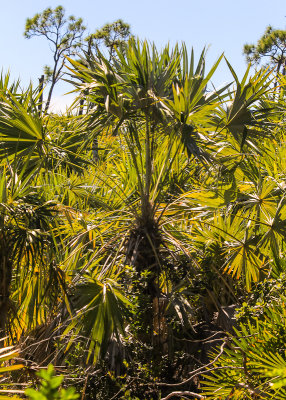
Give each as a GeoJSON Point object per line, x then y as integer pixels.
{"type": "Point", "coordinates": [152, 104]}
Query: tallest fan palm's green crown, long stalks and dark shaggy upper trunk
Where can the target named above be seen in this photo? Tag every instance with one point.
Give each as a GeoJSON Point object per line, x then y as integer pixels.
{"type": "Point", "coordinates": [140, 97]}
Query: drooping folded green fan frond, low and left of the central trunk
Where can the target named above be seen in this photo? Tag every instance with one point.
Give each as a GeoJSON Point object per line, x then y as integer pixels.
{"type": "Point", "coordinates": [102, 311]}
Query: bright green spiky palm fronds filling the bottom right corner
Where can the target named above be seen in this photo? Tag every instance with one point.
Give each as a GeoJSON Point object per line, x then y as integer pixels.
{"type": "Point", "coordinates": [254, 362]}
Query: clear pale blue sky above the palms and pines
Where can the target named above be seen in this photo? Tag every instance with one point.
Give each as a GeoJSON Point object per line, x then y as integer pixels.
{"type": "Point", "coordinates": [225, 25]}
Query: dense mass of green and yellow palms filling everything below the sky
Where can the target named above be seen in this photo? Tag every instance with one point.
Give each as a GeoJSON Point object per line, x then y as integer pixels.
{"type": "Point", "coordinates": [143, 233]}
